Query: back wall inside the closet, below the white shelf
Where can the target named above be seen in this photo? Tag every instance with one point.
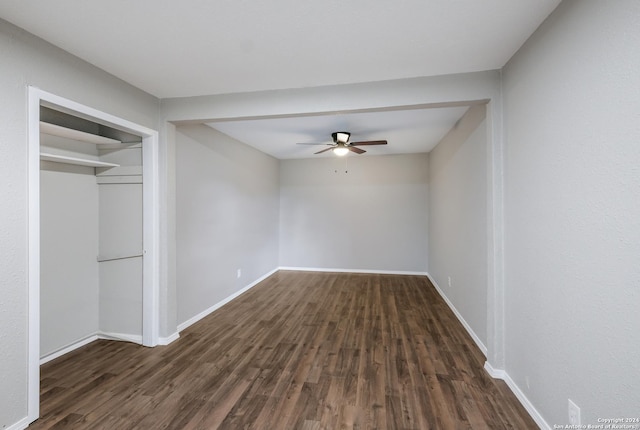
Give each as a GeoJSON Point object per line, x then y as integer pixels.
{"type": "Point", "coordinates": [68, 248]}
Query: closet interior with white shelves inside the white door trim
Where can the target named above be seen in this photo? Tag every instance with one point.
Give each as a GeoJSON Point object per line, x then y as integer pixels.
{"type": "Point", "coordinates": [91, 233]}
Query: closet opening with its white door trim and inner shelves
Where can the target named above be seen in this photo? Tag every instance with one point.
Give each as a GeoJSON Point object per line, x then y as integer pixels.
{"type": "Point", "coordinates": [94, 268]}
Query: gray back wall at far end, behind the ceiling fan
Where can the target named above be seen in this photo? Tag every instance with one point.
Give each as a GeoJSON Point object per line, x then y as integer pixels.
{"type": "Point", "coordinates": [373, 217]}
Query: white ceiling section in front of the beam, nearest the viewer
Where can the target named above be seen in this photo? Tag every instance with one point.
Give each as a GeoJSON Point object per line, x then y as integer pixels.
{"type": "Point", "coordinates": [183, 48]}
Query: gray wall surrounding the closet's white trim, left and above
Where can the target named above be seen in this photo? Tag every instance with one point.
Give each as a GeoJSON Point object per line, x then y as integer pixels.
{"type": "Point", "coordinates": [27, 60]}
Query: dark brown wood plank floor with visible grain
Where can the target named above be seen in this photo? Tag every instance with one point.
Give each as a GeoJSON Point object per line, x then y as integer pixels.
{"type": "Point", "coordinates": [298, 351]}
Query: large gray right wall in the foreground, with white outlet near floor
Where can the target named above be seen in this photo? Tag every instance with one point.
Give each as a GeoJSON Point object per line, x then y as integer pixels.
{"type": "Point", "coordinates": [572, 104]}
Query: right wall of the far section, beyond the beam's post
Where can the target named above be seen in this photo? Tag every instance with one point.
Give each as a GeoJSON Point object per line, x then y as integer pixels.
{"type": "Point", "coordinates": [458, 219]}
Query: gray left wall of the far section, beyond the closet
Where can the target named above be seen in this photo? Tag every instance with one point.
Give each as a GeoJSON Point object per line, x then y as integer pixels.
{"type": "Point", "coordinates": [227, 217]}
